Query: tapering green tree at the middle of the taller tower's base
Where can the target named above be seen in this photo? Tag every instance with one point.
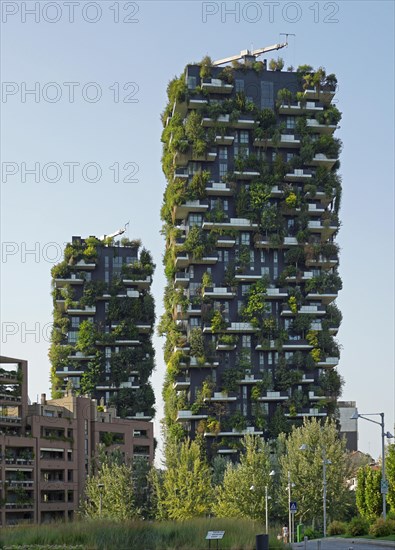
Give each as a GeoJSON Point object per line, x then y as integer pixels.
{"type": "Point", "coordinates": [242, 493]}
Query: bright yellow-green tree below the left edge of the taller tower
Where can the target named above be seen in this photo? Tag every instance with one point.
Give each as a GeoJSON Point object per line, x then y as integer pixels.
{"type": "Point", "coordinates": [184, 491]}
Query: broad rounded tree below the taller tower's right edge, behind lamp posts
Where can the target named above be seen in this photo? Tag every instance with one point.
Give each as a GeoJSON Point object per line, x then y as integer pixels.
{"type": "Point", "coordinates": [305, 469]}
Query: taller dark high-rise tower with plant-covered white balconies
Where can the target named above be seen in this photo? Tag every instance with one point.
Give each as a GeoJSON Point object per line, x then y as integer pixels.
{"type": "Point", "coordinates": [250, 215]}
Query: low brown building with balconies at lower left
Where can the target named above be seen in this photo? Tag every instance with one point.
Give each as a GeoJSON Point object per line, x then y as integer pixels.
{"type": "Point", "coordinates": [47, 449]}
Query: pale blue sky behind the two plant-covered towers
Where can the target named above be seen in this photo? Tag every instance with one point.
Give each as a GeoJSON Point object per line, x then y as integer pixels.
{"type": "Point", "coordinates": [352, 39]}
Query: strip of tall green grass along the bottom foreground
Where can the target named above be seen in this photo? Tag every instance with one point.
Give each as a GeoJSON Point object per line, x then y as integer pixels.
{"type": "Point", "coordinates": [104, 535]}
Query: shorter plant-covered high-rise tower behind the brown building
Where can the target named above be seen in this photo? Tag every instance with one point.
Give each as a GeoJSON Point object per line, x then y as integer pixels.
{"type": "Point", "coordinates": [103, 322]}
